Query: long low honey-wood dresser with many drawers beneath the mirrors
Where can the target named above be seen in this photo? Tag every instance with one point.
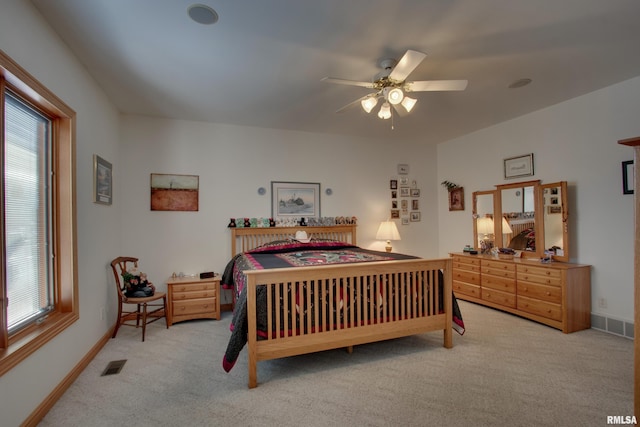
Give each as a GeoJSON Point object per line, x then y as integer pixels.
{"type": "Point", "coordinates": [557, 294]}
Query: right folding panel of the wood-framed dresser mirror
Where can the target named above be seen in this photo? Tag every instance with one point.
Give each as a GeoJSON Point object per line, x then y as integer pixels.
{"type": "Point", "coordinates": [555, 214]}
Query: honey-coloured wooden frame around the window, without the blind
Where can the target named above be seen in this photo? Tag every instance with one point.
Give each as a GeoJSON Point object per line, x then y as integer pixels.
{"type": "Point", "coordinates": [17, 347]}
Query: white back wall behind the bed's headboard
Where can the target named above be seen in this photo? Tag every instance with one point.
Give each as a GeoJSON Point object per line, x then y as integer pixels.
{"type": "Point", "coordinates": [233, 162]}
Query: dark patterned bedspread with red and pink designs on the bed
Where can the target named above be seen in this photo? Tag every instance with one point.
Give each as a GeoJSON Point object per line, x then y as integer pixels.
{"type": "Point", "coordinates": [290, 253]}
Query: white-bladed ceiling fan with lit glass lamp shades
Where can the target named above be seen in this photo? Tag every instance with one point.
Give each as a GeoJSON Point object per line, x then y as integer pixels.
{"type": "Point", "coordinates": [391, 86]}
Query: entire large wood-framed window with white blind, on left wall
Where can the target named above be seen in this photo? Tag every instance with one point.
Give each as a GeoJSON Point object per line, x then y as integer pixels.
{"type": "Point", "coordinates": [38, 286]}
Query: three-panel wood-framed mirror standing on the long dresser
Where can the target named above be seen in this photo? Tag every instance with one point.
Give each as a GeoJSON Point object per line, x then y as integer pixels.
{"type": "Point", "coordinates": [533, 219]}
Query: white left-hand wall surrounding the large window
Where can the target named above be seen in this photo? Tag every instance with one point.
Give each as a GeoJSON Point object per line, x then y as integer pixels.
{"type": "Point", "coordinates": [28, 40]}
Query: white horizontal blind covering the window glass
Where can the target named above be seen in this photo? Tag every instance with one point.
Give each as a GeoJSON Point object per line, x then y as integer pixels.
{"type": "Point", "coordinates": [27, 214]}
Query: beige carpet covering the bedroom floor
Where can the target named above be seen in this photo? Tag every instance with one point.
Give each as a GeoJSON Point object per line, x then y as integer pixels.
{"type": "Point", "coordinates": [504, 371]}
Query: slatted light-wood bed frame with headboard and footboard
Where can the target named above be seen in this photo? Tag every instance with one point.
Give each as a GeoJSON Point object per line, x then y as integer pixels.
{"type": "Point", "coordinates": [407, 288]}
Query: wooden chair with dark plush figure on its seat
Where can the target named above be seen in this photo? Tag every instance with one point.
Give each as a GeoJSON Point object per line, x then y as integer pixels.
{"type": "Point", "coordinates": [141, 315]}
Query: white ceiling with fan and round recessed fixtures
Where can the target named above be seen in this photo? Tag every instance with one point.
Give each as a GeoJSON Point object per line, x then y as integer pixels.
{"type": "Point", "coordinates": [261, 63]}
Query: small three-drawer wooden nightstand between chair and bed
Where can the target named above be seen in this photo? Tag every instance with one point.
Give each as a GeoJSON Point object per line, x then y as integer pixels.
{"type": "Point", "coordinates": [193, 298]}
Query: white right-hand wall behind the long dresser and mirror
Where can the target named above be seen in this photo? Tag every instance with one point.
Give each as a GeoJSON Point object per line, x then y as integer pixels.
{"type": "Point", "coordinates": [575, 141]}
